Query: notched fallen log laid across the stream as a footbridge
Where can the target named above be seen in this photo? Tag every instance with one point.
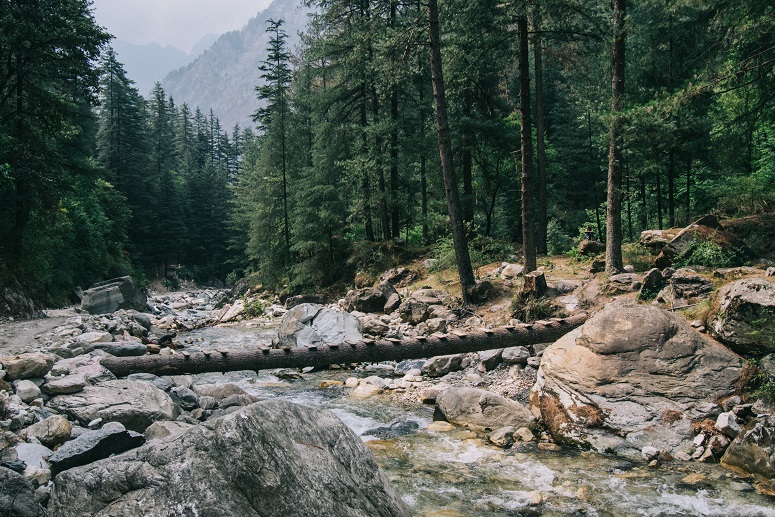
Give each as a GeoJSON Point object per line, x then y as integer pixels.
{"type": "Point", "coordinates": [366, 350]}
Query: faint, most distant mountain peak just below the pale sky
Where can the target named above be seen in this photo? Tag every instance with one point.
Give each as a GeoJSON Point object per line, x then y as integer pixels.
{"type": "Point", "coordinates": [146, 64]}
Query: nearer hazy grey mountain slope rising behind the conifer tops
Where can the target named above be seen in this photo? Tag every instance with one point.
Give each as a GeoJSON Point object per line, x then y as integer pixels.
{"type": "Point", "coordinates": [224, 77]}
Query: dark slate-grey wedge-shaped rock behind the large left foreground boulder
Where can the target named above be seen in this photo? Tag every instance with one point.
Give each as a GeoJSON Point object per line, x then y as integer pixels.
{"type": "Point", "coordinates": [92, 446]}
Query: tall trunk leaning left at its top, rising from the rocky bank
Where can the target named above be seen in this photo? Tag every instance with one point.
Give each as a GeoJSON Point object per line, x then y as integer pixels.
{"type": "Point", "coordinates": [459, 241]}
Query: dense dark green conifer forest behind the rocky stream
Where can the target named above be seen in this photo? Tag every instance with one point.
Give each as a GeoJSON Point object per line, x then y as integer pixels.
{"type": "Point", "coordinates": [546, 103]}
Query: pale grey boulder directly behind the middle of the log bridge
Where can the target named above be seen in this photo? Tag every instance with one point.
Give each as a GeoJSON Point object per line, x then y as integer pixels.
{"type": "Point", "coordinates": [310, 324]}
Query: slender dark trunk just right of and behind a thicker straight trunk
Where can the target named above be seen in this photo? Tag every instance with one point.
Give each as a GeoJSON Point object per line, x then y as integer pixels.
{"type": "Point", "coordinates": [541, 219]}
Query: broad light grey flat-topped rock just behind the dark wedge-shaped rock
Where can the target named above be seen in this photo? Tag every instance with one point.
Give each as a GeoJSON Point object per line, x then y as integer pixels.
{"type": "Point", "coordinates": [135, 404]}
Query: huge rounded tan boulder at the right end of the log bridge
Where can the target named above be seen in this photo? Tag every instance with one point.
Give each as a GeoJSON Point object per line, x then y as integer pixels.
{"type": "Point", "coordinates": [632, 376]}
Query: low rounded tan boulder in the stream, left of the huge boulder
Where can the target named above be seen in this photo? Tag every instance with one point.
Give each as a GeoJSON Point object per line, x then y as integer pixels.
{"type": "Point", "coordinates": [480, 409]}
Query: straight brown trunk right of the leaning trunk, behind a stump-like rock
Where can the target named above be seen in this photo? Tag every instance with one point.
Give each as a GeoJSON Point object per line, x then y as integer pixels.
{"type": "Point", "coordinates": [526, 140]}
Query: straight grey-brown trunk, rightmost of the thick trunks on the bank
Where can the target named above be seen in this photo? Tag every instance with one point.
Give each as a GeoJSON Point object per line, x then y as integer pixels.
{"type": "Point", "coordinates": [613, 237]}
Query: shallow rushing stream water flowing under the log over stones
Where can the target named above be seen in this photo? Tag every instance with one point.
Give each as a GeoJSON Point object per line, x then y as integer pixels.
{"type": "Point", "coordinates": [453, 474]}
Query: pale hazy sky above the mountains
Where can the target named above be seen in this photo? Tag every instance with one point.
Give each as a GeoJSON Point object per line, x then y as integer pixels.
{"type": "Point", "coordinates": [179, 23]}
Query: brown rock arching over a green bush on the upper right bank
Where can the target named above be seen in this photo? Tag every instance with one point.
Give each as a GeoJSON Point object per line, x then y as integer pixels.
{"type": "Point", "coordinates": [705, 229]}
